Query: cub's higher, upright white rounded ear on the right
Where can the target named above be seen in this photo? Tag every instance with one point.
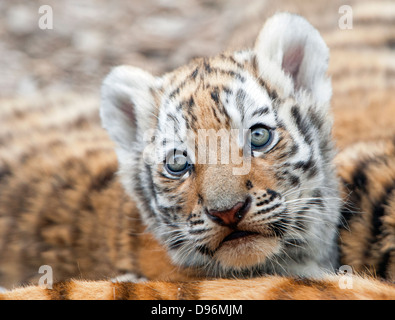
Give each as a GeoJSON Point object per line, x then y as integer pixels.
{"type": "Point", "coordinates": [296, 47]}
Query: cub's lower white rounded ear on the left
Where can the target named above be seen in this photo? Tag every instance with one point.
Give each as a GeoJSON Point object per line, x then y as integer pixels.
{"type": "Point", "coordinates": [128, 104]}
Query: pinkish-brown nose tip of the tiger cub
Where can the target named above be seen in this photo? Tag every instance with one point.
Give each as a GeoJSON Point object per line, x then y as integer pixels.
{"type": "Point", "coordinates": [230, 217]}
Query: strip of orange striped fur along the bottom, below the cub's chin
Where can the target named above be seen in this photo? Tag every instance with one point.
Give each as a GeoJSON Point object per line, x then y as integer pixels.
{"type": "Point", "coordinates": [264, 288]}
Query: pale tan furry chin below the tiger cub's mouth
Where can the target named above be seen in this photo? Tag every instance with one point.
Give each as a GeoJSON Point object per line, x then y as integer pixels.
{"type": "Point", "coordinates": [246, 252]}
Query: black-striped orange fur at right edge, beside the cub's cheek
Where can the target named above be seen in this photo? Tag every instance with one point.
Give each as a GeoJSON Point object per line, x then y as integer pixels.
{"type": "Point", "coordinates": [367, 241]}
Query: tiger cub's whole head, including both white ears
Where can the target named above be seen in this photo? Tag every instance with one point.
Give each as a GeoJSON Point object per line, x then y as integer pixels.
{"type": "Point", "coordinates": [229, 158]}
